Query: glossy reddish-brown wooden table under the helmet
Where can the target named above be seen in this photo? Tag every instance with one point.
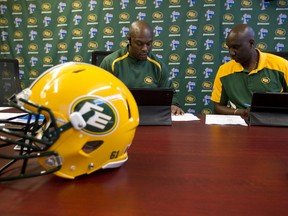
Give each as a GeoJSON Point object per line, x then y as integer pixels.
{"type": "Point", "coordinates": [188, 168]}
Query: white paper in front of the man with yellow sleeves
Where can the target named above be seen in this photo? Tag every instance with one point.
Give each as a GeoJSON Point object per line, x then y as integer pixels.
{"type": "Point", "coordinates": [225, 120]}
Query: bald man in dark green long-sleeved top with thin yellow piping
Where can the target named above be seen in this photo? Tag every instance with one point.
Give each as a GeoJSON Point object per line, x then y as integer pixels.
{"type": "Point", "coordinates": [136, 66]}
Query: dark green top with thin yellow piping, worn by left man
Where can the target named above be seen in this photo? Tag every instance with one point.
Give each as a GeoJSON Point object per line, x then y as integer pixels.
{"type": "Point", "coordinates": [134, 73]}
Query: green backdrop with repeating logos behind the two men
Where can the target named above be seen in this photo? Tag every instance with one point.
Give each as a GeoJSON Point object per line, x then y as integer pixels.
{"type": "Point", "coordinates": [189, 35]}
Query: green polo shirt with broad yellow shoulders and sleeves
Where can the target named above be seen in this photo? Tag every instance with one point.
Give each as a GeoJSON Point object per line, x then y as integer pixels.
{"type": "Point", "coordinates": [233, 84]}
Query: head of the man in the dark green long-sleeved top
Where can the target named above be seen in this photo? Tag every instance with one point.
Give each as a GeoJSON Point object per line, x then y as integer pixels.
{"type": "Point", "coordinates": [140, 39]}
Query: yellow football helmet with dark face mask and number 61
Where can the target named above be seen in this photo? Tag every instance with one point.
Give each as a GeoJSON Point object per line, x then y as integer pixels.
{"type": "Point", "coordinates": [80, 119]}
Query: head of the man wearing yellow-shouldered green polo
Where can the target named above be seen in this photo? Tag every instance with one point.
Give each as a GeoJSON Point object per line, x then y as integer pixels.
{"type": "Point", "coordinates": [240, 42]}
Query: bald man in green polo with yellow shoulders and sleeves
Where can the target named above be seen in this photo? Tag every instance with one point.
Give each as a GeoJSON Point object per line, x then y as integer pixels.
{"type": "Point", "coordinates": [249, 71]}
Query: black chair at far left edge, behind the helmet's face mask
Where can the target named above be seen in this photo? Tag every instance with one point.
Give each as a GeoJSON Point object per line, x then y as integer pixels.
{"type": "Point", "coordinates": [9, 79]}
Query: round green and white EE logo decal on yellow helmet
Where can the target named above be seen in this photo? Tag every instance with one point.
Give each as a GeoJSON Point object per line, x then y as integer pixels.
{"type": "Point", "coordinates": [103, 118]}
